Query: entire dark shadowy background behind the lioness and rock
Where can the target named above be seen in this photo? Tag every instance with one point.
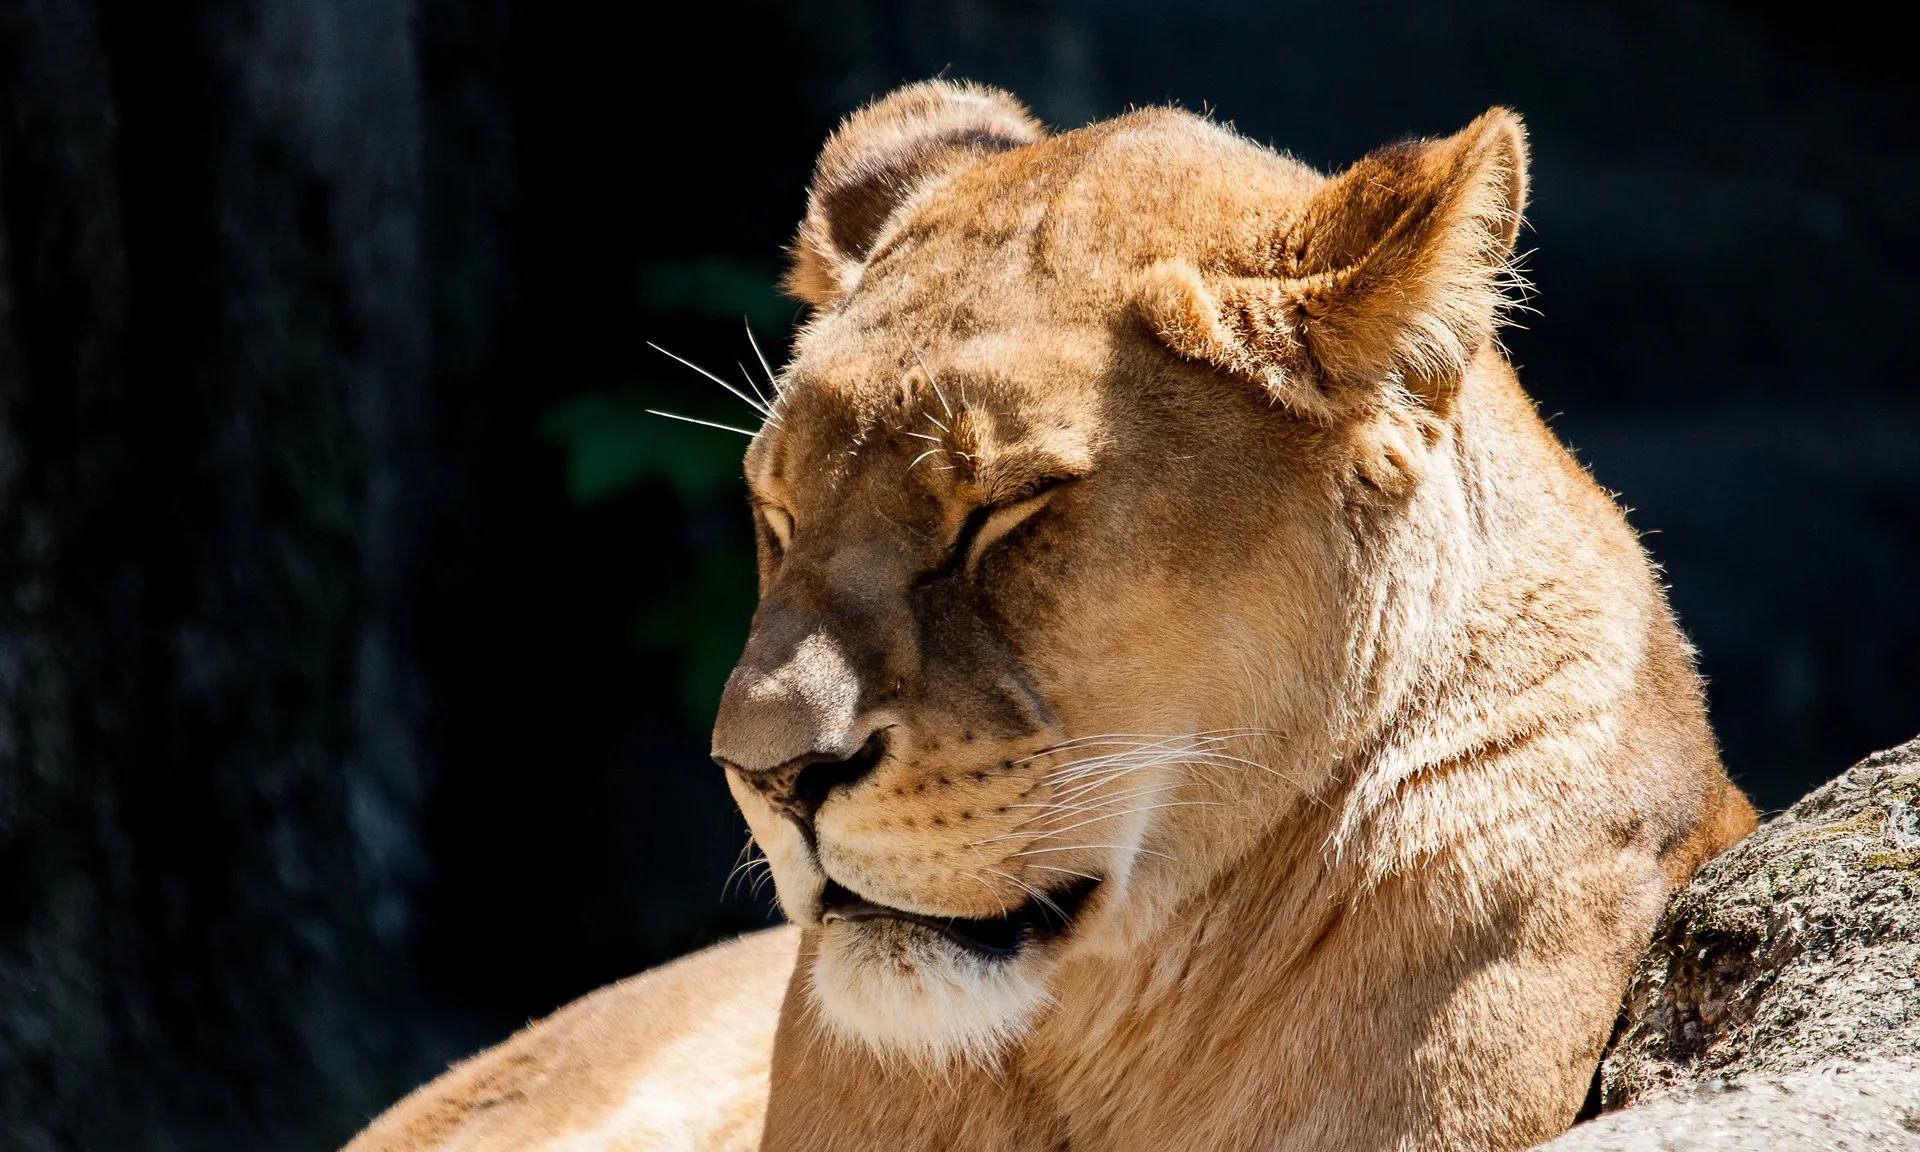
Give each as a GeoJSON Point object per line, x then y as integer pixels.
{"type": "Point", "coordinates": [360, 635]}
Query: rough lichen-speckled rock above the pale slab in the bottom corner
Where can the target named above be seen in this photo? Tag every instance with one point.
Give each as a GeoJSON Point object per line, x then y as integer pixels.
{"type": "Point", "coordinates": [1798, 948]}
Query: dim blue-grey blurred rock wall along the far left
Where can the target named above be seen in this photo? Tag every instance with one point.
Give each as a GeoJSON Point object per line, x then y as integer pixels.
{"type": "Point", "coordinates": [218, 468]}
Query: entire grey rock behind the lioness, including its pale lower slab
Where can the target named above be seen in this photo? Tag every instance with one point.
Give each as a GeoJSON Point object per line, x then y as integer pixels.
{"type": "Point", "coordinates": [1777, 1005]}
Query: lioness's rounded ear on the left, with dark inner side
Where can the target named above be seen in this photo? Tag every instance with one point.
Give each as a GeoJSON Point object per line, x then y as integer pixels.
{"type": "Point", "coordinates": [878, 160]}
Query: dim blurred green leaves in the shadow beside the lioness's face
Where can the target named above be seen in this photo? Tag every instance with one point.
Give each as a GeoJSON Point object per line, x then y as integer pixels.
{"type": "Point", "coordinates": [612, 444]}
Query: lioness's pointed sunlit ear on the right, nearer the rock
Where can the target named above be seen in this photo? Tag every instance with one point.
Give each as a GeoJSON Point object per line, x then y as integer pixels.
{"type": "Point", "coordinates": [1391, 279]}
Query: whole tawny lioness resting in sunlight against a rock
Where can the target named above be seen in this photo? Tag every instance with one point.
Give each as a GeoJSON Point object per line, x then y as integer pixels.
{"type": "Point", "coordinates": [1193, 704]}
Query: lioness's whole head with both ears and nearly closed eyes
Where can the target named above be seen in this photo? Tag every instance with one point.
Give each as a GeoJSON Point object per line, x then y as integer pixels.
{"type": "Point", "coordinates": [1055, 537]}
